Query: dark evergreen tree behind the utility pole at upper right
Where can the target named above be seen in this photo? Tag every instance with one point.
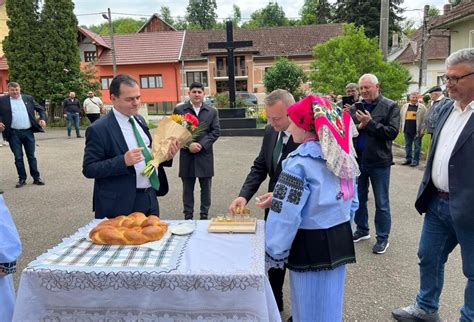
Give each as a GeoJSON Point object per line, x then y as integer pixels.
{"type": "Point", "coordinates": [367, 14]}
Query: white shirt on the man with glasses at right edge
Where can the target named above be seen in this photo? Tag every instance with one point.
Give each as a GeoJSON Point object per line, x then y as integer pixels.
{"type": "Point", "coordinates": [447, 140]}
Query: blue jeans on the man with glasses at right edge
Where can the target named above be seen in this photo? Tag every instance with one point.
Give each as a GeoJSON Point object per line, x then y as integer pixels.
{"type": "Point", "coordinates": [439, 237]}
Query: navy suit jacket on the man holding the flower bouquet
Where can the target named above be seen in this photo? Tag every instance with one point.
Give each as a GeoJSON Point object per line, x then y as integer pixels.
{"type": "Point", "coordinates": [115, 183]}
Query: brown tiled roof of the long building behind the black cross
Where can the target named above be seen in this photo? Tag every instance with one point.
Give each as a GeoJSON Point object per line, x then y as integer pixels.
{"type": "Point", "coordinates": [267, 42]}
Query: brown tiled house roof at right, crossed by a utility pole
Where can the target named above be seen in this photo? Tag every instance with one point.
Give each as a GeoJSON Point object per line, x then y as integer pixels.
{"type": "Point", "coordinates": [437, 48]}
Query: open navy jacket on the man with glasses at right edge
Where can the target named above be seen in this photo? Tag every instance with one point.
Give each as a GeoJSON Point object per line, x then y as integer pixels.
{"type": "Point", "coordinates": [461, 176]}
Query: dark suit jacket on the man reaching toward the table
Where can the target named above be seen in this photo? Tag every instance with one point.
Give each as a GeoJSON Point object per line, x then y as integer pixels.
{"type": "Point", "coordinates": [262, 165]}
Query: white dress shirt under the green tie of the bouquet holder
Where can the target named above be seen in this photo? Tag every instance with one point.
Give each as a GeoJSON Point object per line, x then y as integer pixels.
{"type": "Point", "coordinates": [129, 136]}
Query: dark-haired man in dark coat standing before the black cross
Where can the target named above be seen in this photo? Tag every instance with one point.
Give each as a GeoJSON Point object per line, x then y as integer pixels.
{"type": "Point", "coordinates": [197, 161]}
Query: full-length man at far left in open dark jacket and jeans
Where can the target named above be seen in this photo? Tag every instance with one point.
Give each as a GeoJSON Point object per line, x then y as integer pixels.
{"type": "Point", "coordinates": [18, 123]}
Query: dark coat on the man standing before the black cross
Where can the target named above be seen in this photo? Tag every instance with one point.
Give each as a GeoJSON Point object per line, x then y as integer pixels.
{"type": "Point", "coordinates": [201, 164]}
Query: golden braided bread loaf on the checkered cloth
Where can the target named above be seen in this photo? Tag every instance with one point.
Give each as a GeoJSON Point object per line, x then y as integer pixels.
{"type": "Point", "coordinates": [134, 229]}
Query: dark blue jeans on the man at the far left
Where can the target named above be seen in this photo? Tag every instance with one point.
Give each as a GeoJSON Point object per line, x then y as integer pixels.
{"type": "Point", "coordinates": [18, 140]}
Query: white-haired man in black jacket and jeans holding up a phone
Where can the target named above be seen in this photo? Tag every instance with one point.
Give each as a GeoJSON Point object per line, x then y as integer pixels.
{"type": "Point", "coordinates": [378, 120]}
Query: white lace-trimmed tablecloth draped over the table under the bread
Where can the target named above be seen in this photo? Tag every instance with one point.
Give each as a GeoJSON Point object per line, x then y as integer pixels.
{"type": "Point", "coordinates": [218, 277]}
